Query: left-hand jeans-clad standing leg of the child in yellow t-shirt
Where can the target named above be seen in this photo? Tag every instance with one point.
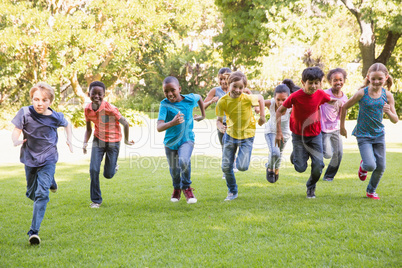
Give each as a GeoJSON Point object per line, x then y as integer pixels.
{"type": "Point", "coordinates": [229, 150]}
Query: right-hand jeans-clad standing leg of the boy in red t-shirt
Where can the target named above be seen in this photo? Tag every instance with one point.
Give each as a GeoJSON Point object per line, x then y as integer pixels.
{"type": "Point", "coordinates": [314, 149]}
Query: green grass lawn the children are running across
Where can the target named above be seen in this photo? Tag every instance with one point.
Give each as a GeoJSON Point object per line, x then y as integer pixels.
{"type": "Point", "coordinates": [269, 225]}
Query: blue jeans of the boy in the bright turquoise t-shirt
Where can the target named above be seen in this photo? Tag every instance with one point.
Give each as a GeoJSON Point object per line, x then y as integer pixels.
{"type": "Point", "coordinates": [180, 164]}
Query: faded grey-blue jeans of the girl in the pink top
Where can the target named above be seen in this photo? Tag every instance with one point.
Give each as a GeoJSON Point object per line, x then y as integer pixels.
{"type": "Point", "coordinates": [333, 149]}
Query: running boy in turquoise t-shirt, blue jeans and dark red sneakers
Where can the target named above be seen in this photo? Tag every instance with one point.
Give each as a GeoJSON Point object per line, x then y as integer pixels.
{"type": "Point", "coordinates": [176, 117]}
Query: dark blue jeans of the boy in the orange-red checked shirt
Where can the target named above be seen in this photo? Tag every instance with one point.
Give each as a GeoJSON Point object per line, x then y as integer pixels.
{"type": "Point", "coordinates": [99, 149]}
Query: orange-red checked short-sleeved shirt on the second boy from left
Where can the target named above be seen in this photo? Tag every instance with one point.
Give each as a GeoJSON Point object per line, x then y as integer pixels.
{"type": "Point", "coordinates": [106, 120]}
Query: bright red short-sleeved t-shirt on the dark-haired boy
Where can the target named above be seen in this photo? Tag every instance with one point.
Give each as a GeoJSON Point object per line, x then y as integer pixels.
{"type": "Point", "coordinates": [305, 116]}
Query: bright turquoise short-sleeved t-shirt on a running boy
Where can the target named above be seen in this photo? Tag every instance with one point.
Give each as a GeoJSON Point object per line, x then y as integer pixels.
{"type": "Point", "coordinates": [177, 135]}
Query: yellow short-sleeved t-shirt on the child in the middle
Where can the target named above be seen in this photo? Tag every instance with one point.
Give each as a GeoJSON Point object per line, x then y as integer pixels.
{"type": "Point", "coordinates": [240, 120]}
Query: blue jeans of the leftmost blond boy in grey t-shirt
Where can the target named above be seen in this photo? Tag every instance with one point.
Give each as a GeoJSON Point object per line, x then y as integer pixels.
{"type": "Point", "coordinates": [39, 180]}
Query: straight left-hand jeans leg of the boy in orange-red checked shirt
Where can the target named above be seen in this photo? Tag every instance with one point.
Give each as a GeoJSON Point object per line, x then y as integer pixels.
{"type": "Point", "coordinates": [98, 150]}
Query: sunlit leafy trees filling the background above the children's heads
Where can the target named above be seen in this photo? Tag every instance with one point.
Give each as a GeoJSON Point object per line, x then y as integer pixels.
{"type": "Point", "coordinates": [71, 43]}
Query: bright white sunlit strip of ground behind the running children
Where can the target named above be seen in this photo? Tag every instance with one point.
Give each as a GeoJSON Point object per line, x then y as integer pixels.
{"type": "Point", "coordinates": [149, 142]}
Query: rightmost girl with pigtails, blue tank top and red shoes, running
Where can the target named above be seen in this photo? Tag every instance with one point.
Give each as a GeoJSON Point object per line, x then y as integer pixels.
{"type": "Point", "coordinates": [374, 101]}
